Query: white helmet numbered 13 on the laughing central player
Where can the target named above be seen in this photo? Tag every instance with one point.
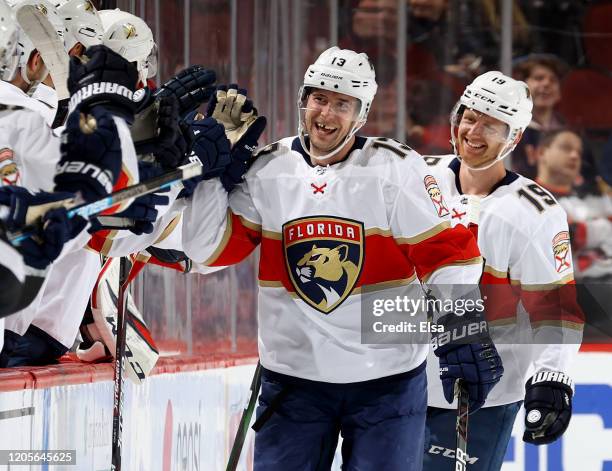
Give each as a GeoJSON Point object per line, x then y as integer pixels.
{"type": "Point", "coordinates": [342, 71]}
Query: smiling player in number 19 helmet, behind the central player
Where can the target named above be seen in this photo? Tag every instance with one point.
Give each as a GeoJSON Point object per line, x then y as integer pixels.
{"type": "Point", "coordinates": [523, 235]}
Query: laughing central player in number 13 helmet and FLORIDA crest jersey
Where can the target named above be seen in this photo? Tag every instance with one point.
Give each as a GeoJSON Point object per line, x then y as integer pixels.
{"type": "Point", "coordinates": [336, 215]}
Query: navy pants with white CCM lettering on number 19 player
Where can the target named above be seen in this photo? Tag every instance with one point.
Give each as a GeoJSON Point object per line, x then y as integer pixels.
{"type": "Point", "coordinates": [489, 431]}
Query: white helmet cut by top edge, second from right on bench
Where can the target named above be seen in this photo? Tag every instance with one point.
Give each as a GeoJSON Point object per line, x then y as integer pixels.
{"type": "Point", "coordinates": [82, 21]}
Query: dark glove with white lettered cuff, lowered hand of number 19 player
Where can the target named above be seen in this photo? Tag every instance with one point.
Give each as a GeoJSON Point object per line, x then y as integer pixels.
{"type": "Point", "coordinates": [548, 407]}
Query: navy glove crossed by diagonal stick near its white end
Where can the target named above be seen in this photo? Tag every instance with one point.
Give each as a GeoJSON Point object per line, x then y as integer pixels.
{"type": "Point", "coordinates": [140, 216]}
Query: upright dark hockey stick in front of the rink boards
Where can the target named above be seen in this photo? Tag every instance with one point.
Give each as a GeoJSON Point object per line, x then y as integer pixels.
{"type": "Point", "coordinates": [124, 271]}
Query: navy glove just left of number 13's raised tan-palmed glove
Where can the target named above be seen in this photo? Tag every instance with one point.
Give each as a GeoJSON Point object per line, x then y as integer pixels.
{"type": "Point", "coordinates": [206, 142]}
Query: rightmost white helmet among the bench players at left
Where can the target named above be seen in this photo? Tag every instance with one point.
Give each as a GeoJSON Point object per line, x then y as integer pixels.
{"type": "Point", "coordinates": [130, 37]}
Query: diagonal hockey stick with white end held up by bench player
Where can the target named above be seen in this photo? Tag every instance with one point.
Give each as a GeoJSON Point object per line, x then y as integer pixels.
{"type": "Point", "coordinates": [87, 210]}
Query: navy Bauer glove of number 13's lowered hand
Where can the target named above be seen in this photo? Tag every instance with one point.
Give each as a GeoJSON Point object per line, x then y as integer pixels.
{"type": "Point", "coordinates": [473, 358]}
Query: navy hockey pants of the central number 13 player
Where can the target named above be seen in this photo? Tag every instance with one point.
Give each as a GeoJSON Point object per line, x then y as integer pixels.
{"type": "Point", "coordinates": [382, 423]}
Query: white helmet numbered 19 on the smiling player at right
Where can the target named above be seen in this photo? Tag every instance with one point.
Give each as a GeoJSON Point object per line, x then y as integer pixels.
{"type": "Point", "coordinates": [500, 97]}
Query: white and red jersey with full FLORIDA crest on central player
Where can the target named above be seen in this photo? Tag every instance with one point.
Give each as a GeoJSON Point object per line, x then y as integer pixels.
{"type": "Point", "coordinates": [373, 223]}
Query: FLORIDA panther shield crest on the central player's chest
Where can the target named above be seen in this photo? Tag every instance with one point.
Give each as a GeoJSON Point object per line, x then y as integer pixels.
{"type": "Point", "coordinates": [324, 257]}
